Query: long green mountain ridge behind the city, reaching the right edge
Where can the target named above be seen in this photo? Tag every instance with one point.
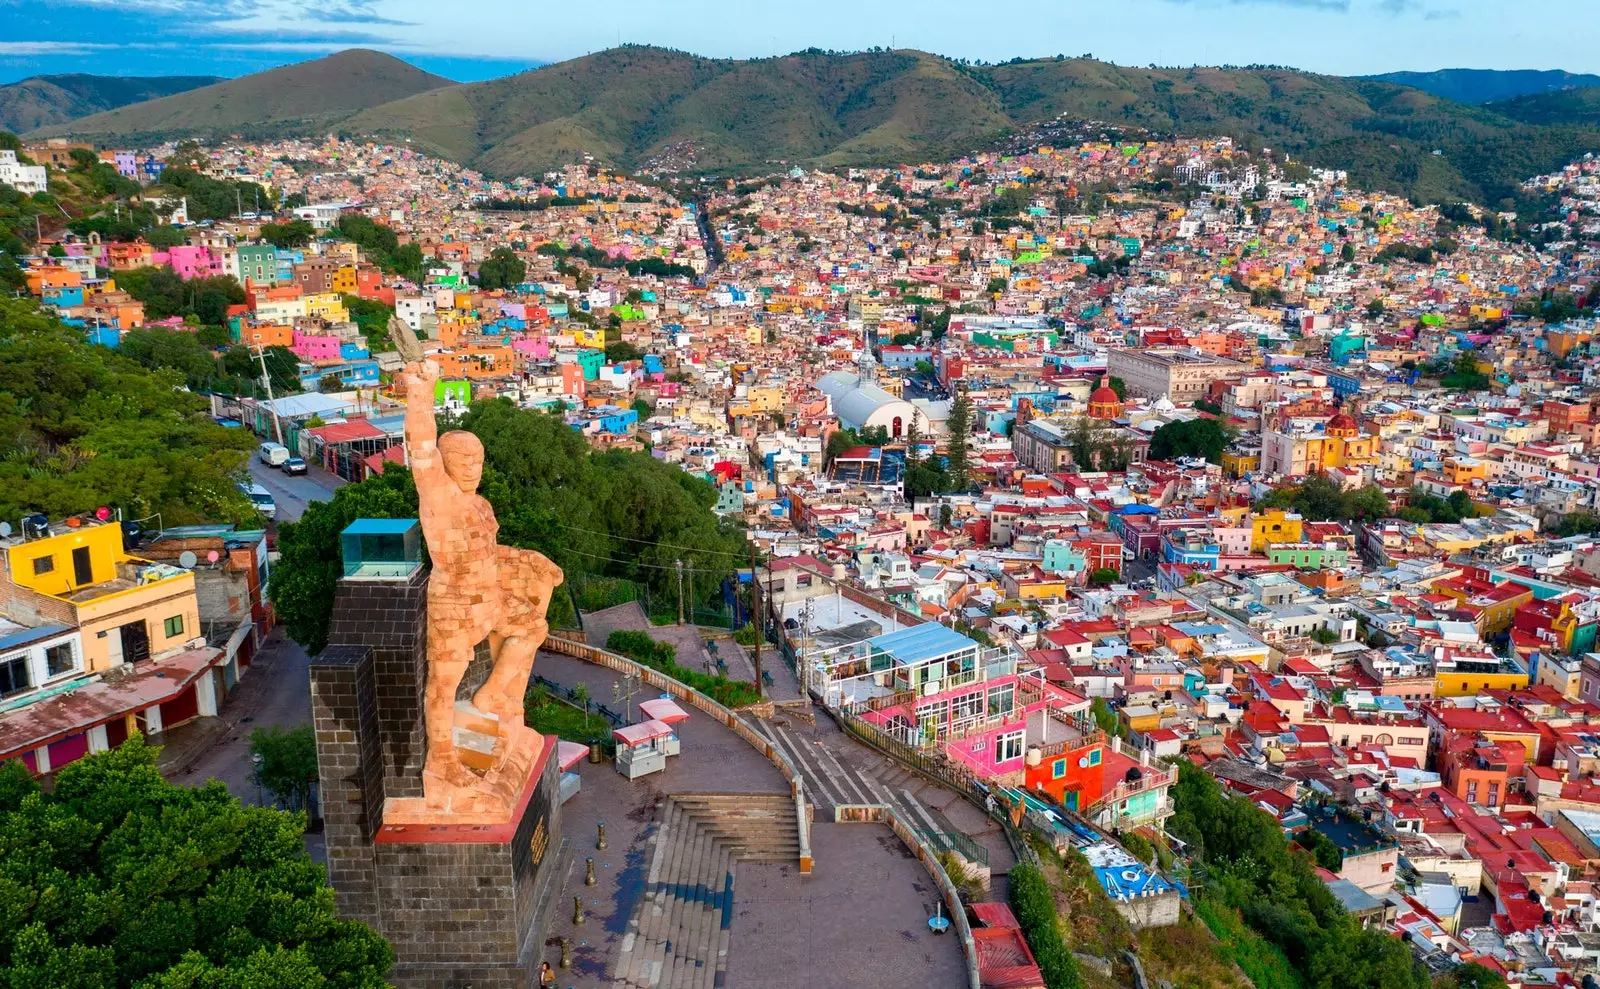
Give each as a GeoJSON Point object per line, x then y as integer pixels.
{"type": "Point", "coordinates": [628, 105]}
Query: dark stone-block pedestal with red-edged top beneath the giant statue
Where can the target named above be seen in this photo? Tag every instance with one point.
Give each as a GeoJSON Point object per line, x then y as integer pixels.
{"type": "Point", "coordinates": [463, 907]}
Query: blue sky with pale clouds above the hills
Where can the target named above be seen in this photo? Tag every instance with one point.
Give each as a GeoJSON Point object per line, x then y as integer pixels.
{"type": "Point", "coordinates": [481, 39]}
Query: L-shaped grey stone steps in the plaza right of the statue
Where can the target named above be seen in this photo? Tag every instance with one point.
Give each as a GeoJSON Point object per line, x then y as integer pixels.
{"type": "Point", "coordinates": [681, 931]}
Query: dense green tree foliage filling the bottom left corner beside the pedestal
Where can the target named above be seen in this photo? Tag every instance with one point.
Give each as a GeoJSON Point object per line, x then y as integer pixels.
{"type": "Point", "coordinates": [119, 878]}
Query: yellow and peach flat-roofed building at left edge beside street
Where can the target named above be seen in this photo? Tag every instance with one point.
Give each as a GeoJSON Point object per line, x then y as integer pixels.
{"type": "Point", "coordinates": [127, 609]}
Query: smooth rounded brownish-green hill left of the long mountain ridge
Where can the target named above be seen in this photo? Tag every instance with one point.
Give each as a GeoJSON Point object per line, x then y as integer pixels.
{"type": "Point", "coordinates": [294, 98]}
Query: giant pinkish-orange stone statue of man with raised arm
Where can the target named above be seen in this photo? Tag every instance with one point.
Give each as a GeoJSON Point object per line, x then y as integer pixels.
{"type": "Point", "coordinates": [479, 753]}
